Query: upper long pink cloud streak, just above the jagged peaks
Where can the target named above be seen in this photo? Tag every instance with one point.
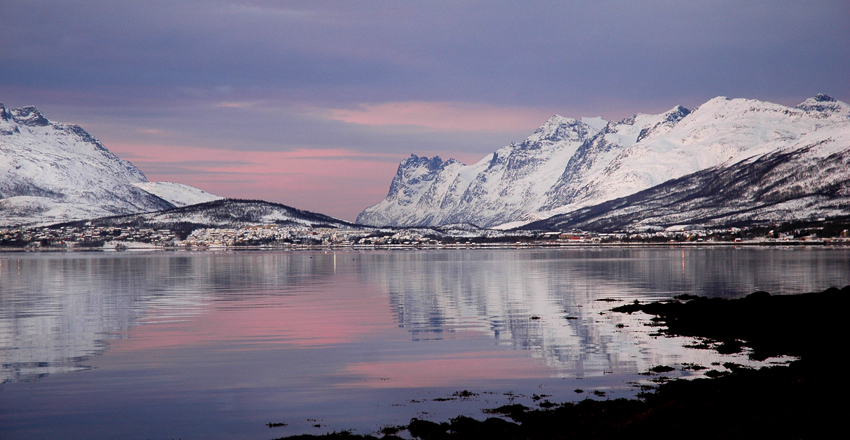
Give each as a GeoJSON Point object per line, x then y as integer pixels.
{"type": "Point", "coordinates": [443, 116]}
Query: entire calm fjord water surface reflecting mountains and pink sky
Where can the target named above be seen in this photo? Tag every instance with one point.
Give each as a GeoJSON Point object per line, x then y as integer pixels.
{"type": "Point", "coordinates": [217, 345]}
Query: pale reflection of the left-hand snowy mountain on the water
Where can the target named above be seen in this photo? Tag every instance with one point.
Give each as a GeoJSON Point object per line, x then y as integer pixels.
{"type": "Point", "coordinates": [57, 310]}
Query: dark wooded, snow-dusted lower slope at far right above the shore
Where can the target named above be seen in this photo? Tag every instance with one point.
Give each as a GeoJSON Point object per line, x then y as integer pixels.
{"type": "Point", "coordinates": [804, 182]}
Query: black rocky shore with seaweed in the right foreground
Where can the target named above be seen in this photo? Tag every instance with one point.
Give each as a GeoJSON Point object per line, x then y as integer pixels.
{"type": "Point", "coordinates": [799, 400]}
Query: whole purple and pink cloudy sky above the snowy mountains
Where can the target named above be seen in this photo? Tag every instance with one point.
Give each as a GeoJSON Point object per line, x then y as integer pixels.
{"type": "Point", "coordinates": [458, 78]}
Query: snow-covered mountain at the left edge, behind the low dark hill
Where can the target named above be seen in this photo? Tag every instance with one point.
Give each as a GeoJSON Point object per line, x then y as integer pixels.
{"type": "Point", "coordinates": [52, 172]}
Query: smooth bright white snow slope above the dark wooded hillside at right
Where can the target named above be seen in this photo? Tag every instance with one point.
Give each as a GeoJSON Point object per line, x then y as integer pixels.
{"type": "Point", "coordinates": [718, 133]}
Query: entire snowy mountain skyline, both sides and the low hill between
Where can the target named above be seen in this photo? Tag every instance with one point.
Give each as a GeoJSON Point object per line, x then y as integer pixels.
{"type": "Point", "coordinates": [727, 162]}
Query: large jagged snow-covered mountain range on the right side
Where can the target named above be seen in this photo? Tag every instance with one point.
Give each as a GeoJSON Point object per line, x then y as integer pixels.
{"type": "Point", "coordinates": [728, 161]}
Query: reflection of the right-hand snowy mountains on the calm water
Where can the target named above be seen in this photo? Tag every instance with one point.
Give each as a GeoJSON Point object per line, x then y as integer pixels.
{"type": "Point", "coordinates": [555, 303]}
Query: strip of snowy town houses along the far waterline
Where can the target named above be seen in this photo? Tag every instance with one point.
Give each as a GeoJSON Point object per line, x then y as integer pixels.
{"type": "Point", "coordinates": [299, 237]}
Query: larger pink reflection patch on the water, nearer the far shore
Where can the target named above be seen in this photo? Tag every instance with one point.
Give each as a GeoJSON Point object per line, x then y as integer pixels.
{"type": "Point", "coordinates": [318, 319]}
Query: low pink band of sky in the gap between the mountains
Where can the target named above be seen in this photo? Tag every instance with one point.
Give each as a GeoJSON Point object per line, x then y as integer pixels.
{"type": "Point", "coordinates": [316, 180]}
